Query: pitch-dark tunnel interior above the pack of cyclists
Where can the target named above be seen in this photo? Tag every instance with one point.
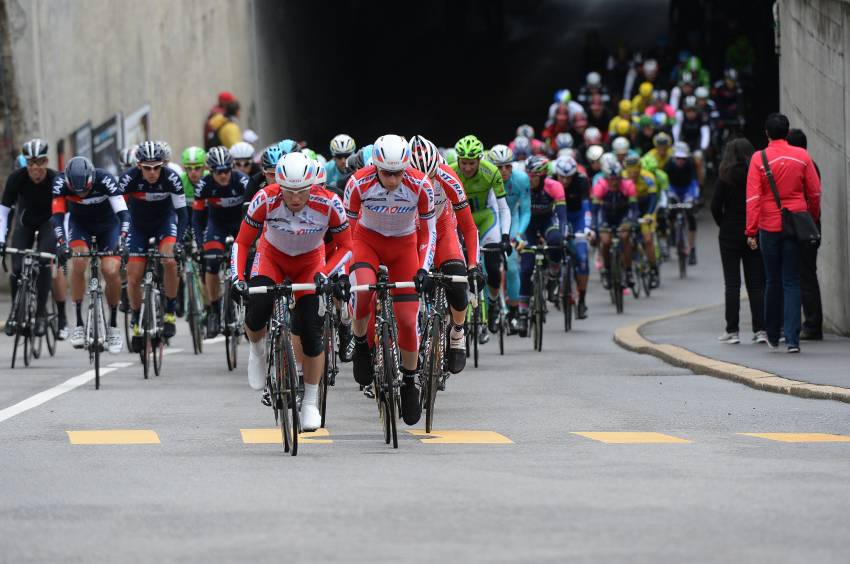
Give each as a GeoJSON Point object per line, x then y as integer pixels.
{"type": "Point", "coordinates": [446, 68]}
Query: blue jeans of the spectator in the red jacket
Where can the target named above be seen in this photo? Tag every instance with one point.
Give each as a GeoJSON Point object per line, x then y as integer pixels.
{"type": "Point", "coordinates": [782, 284]}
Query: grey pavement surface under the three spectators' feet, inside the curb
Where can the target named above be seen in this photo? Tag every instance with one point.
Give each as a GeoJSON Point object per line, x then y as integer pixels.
{"type": "Point", "coordinates": [821, 362]}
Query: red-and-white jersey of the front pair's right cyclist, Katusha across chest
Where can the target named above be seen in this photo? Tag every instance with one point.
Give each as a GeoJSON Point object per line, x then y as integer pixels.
{"type": "Point", "coordinates": [392, 214]}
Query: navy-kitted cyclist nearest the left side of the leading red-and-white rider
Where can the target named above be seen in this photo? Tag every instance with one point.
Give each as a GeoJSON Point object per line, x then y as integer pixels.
{"type": "Point", "coordinates": [221, 195]}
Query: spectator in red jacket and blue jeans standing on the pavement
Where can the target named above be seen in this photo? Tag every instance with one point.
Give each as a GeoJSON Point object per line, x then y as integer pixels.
{"type": "Point", "coordinates": [799, 190]}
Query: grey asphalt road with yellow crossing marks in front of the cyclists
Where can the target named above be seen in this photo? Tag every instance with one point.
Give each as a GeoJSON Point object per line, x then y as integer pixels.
{"type": "Point", "coordinates": [541, 493]}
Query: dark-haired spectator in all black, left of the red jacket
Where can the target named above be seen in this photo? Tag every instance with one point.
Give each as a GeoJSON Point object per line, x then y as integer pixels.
{"type": "Point", "coordinates": [729, 209]}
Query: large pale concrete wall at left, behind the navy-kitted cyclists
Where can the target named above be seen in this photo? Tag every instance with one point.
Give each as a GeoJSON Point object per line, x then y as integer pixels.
{"type": "Point", "coordinates": [80, 60]}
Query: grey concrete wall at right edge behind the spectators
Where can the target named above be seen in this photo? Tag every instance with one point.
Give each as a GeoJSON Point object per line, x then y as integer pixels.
{"type": "Point", "coordinates": [815, 94]}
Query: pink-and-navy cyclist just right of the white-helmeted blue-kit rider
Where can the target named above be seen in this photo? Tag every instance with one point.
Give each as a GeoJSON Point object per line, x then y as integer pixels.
{"type": "Point", "coordinates": [614, 206]}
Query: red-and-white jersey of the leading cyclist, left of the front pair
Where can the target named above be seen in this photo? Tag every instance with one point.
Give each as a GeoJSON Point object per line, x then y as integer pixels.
{"type": "Point", "coordinates": [296, 233]}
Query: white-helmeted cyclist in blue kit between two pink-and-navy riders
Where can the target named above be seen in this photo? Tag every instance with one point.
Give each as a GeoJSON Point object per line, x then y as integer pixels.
{"type": "Point", "coordinates": [577, 197]}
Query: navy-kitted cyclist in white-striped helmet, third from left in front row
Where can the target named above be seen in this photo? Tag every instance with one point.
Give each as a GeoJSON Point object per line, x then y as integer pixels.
{"type": "Point", "coordinates": [157, 207]}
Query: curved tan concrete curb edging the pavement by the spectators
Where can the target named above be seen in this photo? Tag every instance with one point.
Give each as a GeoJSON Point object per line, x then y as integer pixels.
{"type": "Point", "coordinates": [629, 338]}
